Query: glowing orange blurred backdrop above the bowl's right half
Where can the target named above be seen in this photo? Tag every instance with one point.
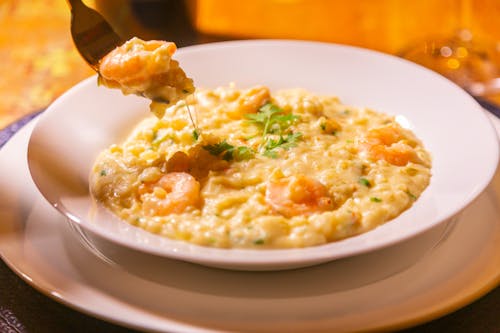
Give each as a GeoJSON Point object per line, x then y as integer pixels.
{"type": "Point", "coordinates": [414, 29]}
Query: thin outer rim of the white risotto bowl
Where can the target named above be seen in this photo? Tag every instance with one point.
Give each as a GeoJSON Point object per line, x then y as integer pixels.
{"type": "Point", "coordinates": [257, 259]}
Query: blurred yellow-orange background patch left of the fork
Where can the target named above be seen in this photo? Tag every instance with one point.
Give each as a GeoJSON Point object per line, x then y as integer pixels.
{"type": "Point", "coordinates": [37, 58]}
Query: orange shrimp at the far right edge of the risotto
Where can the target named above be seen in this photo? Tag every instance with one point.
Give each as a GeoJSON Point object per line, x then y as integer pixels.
{"type": "Point", "coordinates": [389, 144]}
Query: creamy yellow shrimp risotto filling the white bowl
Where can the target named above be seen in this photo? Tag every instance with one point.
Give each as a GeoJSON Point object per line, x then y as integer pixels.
{"type": "Point", "coordinates": [262, 170]}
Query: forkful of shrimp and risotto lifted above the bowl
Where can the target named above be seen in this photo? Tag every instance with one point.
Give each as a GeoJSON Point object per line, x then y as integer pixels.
{"type": "Point", "coordinates": [146, 68]}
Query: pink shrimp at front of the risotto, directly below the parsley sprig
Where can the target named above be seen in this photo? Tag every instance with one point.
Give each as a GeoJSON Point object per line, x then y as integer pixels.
{"type": "Point", "coordinates": [298, 195]}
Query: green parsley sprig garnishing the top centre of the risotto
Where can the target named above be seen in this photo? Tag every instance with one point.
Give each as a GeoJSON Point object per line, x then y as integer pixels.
{"type": "Point", "coordinates": [274, 123]}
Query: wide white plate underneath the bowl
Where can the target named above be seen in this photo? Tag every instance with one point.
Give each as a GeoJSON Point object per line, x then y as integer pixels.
{"type": "Point", "coordinates": [352, 294]}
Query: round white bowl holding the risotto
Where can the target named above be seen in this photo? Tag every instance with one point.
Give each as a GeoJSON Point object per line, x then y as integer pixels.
{"type": "Point", "coordinates": [452, 126]}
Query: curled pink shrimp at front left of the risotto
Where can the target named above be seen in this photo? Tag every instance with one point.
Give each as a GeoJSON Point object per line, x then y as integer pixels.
{"type": "Point", "coordinates": [173, 193]}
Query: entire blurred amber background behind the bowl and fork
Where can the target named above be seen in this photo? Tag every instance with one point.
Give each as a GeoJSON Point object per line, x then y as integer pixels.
{"type": "Point", "coordinates": [458, 38]}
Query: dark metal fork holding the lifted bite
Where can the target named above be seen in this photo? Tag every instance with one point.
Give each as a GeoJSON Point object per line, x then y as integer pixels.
{"type": "Point", "coordinates": [91, 33]}
